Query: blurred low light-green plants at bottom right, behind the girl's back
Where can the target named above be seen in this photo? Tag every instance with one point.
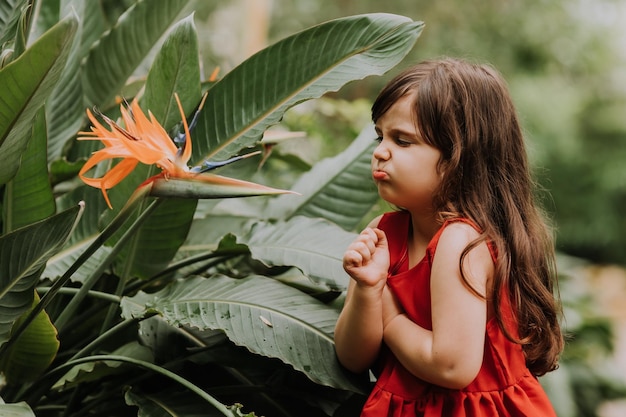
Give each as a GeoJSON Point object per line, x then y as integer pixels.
{"type": "Point", "coordinates": [588, 374]}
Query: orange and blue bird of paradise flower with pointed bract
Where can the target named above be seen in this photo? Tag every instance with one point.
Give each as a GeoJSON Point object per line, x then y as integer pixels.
{"type": "Point", "coordinates": [144, 140]}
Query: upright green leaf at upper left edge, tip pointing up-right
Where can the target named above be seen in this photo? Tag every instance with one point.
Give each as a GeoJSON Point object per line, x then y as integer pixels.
{"type": "Point", "coordinates": [25, 84]}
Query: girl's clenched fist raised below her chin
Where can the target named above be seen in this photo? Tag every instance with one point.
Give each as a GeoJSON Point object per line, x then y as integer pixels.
{"type": "Point", "coordinates": [367, 258]}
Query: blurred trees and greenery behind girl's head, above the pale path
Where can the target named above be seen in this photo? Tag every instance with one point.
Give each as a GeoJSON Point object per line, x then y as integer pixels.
{"type": "Point", "coordinates": [565, 61]}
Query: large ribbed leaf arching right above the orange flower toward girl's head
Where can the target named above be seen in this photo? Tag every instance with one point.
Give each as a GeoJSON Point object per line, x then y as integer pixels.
{"type": "Point", "coordinates": [255, 95]}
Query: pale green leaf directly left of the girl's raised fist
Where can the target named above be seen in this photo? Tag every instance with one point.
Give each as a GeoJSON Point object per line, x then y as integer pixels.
{"type": "Point", "coordinates": [314, 245]}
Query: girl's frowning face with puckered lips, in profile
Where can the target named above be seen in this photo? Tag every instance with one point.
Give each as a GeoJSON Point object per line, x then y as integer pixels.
{"type": "Point", "coordinates": [404, 167]}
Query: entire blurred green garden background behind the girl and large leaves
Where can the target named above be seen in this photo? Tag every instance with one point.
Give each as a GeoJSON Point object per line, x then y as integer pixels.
{"type": "Point", "coordinates": [565, 62]}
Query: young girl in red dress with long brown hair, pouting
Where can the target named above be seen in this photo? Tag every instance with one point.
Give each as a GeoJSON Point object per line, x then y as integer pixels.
{"type": "Point", "coordinates": [451, 301]}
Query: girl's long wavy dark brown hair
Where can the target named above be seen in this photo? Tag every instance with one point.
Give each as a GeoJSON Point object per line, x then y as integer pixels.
{"type": "Point", "coordinates": [465, 110]}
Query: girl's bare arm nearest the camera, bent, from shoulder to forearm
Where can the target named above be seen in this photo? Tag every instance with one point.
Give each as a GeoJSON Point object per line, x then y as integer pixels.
{"type": "Point", "coordinates": [452, 353]}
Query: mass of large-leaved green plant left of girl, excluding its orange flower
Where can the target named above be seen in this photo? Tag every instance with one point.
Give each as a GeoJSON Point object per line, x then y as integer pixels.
{"type": "Point", "coordinates": [173, 303]}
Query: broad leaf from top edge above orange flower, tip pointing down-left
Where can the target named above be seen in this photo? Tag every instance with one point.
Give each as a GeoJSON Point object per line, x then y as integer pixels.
{"type": "Point", "coordinates": [117, 54]}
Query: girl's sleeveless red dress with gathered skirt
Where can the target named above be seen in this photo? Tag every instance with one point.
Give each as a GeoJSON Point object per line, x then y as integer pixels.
{"type": "Point", "coordinates": [503, 387]}
